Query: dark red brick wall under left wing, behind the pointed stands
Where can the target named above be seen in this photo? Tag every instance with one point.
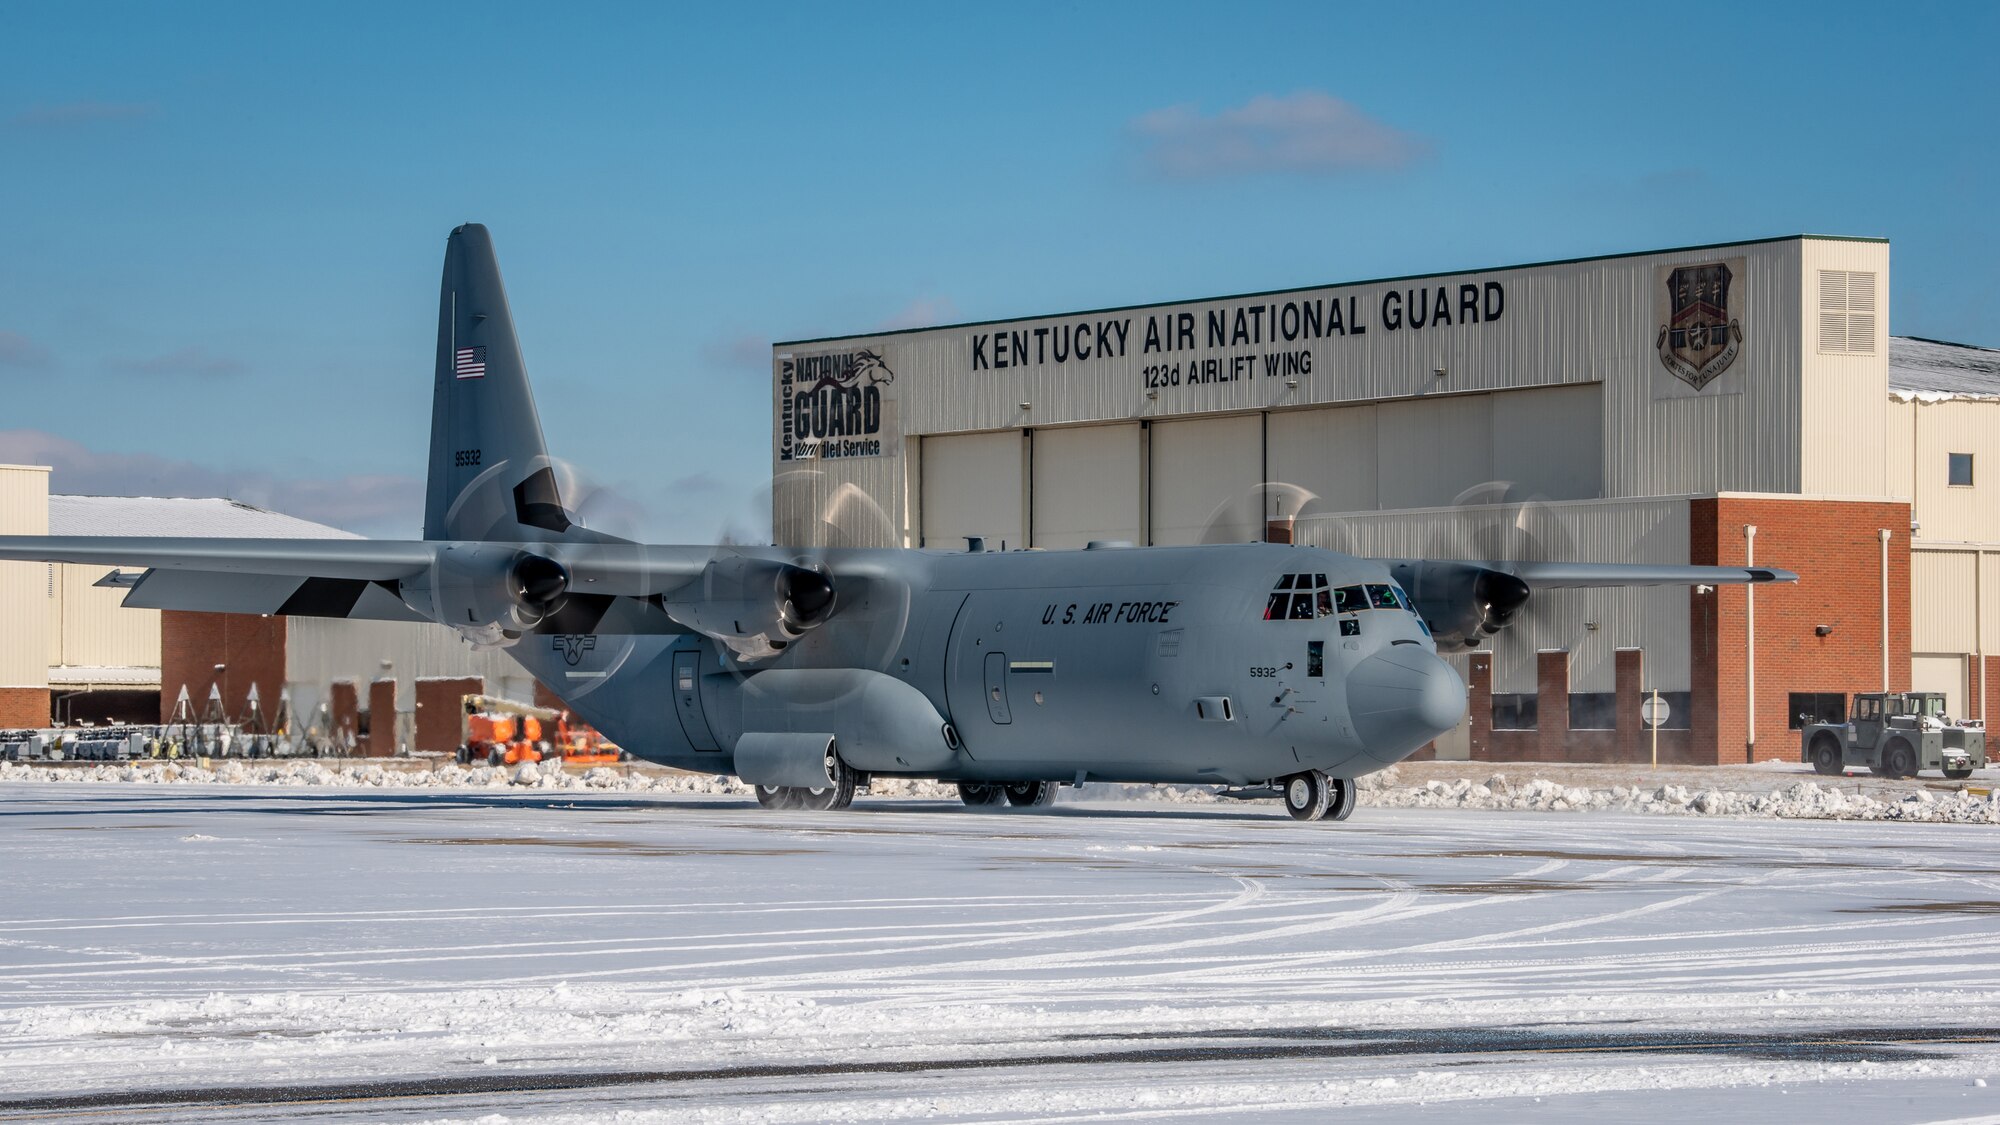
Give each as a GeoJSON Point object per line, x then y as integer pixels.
{"type": "Point", "coordinates": [249, 648]}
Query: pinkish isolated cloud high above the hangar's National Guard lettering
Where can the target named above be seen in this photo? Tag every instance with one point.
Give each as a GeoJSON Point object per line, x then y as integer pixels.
{"type": "Point", "coordinates": [1309, 133]}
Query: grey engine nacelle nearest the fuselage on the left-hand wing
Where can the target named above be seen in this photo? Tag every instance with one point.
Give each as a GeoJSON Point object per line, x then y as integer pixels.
{"type": "Point", "coordinates": [755, 606]}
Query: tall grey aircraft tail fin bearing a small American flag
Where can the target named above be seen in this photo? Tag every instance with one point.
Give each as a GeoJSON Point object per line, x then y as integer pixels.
{"type": "Point", "coordinates": [491, 477]}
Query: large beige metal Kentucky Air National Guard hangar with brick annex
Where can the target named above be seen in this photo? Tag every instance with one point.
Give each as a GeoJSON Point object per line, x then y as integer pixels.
{"type": "Point", "coordinates": [1713, 405]}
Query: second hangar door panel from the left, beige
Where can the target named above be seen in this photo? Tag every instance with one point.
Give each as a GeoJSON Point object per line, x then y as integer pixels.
{"type": "Point", "coordinates": [1087, 485]}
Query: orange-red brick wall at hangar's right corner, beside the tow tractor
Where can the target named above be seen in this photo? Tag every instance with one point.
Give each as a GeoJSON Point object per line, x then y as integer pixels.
{"type": "Point", "coordinates": [1837, 553]}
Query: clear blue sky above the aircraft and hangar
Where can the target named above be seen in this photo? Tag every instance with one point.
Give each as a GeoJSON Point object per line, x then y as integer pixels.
{"type": "Point", "coordinates": [221, 225]}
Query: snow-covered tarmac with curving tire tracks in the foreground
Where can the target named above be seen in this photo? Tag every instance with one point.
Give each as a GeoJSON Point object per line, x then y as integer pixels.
{"type": "Point", "coordinates": [445, 956]}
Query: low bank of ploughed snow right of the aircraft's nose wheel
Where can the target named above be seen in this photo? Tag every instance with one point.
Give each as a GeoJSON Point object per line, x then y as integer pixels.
{"type": "Point", "coordinates": [1801, 802]}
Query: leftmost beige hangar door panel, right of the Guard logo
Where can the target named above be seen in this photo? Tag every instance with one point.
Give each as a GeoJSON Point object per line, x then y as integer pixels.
{"type": "Point", "coordinates": [975, 485]}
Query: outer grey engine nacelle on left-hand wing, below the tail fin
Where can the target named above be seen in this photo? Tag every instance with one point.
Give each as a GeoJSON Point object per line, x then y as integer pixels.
{"type": "Point", "coordinates": [489, 594]}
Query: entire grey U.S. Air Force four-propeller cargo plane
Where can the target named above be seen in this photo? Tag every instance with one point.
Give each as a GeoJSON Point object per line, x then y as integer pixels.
{"type": "Point", "coordinates": [1269, 670]}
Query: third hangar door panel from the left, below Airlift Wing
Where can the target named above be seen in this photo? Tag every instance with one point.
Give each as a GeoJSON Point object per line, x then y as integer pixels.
{"type": "Point", "coordinates": [1197, 467]}
